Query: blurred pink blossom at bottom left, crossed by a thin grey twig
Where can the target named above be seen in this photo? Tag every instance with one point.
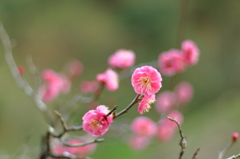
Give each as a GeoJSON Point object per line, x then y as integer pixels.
{"type": "Point", "coordinates": [81, 151]}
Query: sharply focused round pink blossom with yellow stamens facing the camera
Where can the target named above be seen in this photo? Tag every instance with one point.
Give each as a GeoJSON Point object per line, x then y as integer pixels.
{"type": "Point", "coordinates": [146, 80]}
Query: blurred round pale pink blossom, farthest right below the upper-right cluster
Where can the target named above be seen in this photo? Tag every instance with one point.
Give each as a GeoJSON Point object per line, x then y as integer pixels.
{"type": "Point", "coordinates": [184, 92]}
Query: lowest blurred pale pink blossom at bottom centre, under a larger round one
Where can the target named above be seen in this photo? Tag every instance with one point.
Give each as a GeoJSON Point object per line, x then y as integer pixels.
{"type": "Point", "coordinates": [138, 142]}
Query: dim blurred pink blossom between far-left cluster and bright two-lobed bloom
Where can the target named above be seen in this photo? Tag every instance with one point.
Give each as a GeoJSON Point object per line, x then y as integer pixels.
{"type": "Point", "coordinates": [89, 86]}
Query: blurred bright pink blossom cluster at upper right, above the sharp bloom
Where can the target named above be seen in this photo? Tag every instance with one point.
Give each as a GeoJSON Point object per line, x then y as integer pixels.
{"type": "Point", "coordinates": [176, 61]}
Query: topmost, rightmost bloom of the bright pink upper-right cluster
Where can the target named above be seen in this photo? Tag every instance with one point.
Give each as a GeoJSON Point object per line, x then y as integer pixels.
{"type": "Point", "coordinates": [190, 52]}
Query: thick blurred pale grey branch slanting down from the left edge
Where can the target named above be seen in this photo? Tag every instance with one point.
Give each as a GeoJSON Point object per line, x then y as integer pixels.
{"type": "Point", "coordinates": [13, 68]}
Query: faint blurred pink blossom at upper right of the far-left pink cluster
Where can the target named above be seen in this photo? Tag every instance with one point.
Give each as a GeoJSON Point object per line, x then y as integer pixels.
{"type": "Point", "coordinates": [75, 68]}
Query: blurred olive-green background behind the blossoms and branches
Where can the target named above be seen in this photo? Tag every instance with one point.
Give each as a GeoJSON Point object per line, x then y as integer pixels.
{"type": "Point", "coordinates": [54, 32]}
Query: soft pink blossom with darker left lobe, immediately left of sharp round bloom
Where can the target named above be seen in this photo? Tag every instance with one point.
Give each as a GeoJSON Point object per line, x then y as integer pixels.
{"type": "Point", "coordinates": [110, 78]}
